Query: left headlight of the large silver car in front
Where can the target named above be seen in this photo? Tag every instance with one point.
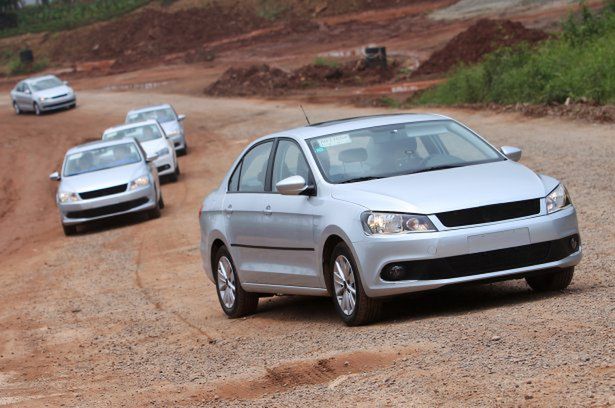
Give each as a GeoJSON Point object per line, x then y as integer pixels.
{"type": "Point", "coordinates": [390, 223]}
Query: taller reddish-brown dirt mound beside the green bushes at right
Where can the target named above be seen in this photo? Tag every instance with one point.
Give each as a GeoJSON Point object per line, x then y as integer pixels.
{"type": "Point", "coordinates": [481, 38]}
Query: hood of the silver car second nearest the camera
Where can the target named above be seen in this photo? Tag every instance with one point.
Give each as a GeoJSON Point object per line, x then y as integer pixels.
{"type": "Point", "coordinates": [102, 178]}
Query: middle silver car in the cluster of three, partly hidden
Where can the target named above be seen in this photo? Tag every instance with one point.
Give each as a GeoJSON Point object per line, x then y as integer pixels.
{"type": "Point", "coordinates": [152, 138]}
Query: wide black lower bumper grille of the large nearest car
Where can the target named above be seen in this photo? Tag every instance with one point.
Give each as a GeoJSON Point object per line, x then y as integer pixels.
{"type": "Point", "coordinates": [482, 262]}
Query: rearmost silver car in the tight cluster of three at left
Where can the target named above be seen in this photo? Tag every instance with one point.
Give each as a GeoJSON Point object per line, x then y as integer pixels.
{"type": "Point", "coordinates": [171, 122]}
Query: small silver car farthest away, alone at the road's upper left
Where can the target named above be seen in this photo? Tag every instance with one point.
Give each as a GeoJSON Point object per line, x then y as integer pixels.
{"type": "Point", "coordinates": [41, 94]}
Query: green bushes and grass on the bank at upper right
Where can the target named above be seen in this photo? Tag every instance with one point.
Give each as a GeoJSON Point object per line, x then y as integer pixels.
{"type": "Point", "coordinates": [579, 64]}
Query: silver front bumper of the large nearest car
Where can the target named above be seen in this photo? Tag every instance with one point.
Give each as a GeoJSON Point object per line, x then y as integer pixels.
{"type": "Point", "coordinates": [374, 253]}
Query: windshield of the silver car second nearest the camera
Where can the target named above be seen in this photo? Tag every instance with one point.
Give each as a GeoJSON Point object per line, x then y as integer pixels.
{"type": "Point", "coordinates": [101, 158]}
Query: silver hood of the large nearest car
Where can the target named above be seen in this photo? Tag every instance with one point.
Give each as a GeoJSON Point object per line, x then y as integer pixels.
{"type": "Point", "coordinates": [446, 190]}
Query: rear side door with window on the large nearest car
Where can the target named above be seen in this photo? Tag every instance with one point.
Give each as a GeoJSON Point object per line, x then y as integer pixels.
{"type": "Point", "coordinates": [243, 208]}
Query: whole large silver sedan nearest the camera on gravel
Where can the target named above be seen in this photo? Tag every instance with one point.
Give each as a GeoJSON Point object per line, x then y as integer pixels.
{"type": "Point", "coordinates": [367, 208]}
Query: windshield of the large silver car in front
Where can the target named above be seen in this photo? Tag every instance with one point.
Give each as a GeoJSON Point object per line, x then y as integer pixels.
{"type": "Point", "coordinates": [391, 150]}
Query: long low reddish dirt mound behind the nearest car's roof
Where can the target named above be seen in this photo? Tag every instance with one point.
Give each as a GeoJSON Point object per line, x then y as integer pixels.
{"type": "Point", "coordinates": [269, 81]}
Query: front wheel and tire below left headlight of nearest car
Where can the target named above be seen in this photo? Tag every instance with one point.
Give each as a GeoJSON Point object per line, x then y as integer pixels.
{"type": "Point", "coordinates": [353, 306]}
